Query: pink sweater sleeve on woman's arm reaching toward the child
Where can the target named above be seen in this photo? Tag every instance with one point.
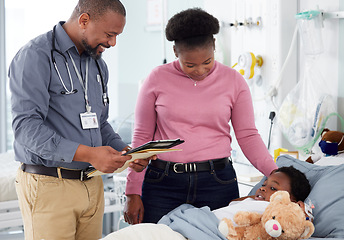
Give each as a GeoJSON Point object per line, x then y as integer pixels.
{"type": "Point", "coordinates": [247, 134]}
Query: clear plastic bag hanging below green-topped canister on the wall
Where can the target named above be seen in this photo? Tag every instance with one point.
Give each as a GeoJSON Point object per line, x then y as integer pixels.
{"type": "Point", "coordinates": [306, 109]}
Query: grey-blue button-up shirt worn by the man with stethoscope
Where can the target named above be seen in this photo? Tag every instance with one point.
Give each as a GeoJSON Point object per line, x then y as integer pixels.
{"type": "Point", "coordinates": [46, 123]}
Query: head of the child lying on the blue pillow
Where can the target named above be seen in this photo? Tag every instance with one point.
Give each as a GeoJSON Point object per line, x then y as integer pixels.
{"type": "Point", "coordinates": [288, 179]}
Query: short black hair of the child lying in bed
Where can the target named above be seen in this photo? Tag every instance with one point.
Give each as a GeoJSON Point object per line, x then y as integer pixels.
{"type": "Point", "coordinates": [299, 184]}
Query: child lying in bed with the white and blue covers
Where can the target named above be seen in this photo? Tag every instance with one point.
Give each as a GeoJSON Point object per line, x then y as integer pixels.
{"type": "Point", "coordinates": [201, 223]}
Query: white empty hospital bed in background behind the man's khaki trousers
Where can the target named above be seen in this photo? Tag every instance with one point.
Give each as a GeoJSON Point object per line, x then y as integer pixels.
{"type": "Point", "coordinates": [10, 217]}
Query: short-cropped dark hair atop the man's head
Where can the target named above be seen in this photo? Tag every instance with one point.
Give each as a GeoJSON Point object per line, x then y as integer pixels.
{"type": "Point", "coordinates": [96, 8]}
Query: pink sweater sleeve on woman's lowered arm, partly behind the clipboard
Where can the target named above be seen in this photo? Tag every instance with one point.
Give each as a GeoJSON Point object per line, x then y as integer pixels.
{"type": "Point", "coordinates": [145, 124]}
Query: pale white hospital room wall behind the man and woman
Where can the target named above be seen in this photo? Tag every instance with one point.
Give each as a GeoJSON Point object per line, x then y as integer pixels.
{"type": "Point", "coordinates": [140, 49]}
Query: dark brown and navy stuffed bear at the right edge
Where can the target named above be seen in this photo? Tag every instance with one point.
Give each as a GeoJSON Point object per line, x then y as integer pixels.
{"type": "Point", "coordinates": [331, 144]}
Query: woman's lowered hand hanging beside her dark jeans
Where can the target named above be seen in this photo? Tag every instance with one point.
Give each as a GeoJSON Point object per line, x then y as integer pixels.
{"type": "Point", "coordinates": [133, 209]}
